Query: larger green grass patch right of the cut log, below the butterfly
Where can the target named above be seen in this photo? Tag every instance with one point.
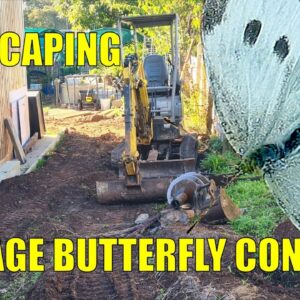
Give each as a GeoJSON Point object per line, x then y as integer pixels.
{"type": "Point", "coordinates": [262, 213]}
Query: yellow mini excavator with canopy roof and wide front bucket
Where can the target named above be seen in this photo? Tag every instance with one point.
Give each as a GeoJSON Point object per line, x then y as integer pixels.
{"type": "Point", "coordinates": [154, 150]}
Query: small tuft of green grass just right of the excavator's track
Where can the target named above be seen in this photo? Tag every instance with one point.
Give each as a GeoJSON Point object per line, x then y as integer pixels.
{"type": "Point", "coordinates": [225, 163]}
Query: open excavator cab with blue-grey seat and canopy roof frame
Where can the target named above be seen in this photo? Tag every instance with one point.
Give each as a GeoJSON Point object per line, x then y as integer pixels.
{"type": "Point", "coordinates": [162, 75]}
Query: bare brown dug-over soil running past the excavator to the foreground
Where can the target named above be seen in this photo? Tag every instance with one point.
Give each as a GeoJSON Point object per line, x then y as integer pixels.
{"type": "Point", "coordinates": [59, 200]}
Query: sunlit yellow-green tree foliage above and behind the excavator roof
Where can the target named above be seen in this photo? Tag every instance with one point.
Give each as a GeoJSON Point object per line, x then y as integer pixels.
{"type": "Point", "coordinates": [91, 14]}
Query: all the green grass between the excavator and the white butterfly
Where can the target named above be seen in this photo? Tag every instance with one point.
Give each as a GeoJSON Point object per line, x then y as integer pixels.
{"type": "Point", "coordinates": [262, 214]}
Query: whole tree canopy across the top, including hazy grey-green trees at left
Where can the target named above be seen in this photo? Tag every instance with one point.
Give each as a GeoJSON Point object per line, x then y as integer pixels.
{"type": "Point", "coordinates": [92, 14]}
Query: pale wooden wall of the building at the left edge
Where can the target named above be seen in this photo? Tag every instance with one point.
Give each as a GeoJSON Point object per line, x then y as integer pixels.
{"type": "Point", "coordinates": [11, 16]}
